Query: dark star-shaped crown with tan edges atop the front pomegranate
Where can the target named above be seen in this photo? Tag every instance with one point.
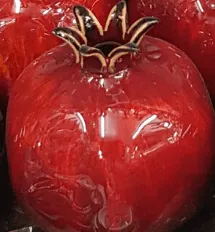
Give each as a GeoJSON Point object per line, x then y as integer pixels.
{"type": "Point", "coordinates": [107, 51]}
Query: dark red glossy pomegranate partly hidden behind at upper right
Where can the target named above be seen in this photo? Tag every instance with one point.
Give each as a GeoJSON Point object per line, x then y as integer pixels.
{"type": "Point", "coordinates": [188, 24]}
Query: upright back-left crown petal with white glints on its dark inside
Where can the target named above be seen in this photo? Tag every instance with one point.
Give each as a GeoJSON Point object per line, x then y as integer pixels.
{"type": "Point", "coordinates": [87, 22]}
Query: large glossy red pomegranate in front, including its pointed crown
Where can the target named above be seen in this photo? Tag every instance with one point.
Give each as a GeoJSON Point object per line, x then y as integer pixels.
{"type": "Point", "coordinates": [115, 136]}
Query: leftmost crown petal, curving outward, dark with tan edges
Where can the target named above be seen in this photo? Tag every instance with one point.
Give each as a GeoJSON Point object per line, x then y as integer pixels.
{"type": "Point", "coordinates": [73, 37]}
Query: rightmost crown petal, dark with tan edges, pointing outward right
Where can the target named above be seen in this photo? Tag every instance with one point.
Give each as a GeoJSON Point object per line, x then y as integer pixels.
{"type": "Point", "coordinates": [140, 28]}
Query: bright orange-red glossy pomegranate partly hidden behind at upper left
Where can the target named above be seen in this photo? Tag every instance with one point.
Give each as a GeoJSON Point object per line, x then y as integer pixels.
{"type": "Point", "coordinates": [25, 31]}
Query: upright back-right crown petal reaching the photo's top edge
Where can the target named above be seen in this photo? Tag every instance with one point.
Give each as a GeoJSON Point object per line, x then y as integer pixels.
{"type": "Point", "coordinates": [118, 16]}
